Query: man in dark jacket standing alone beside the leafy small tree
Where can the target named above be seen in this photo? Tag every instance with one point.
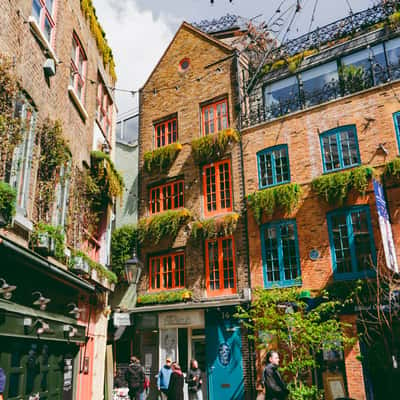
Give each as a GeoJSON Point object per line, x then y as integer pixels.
{"type": "Point", "coordinates": [275, 388]}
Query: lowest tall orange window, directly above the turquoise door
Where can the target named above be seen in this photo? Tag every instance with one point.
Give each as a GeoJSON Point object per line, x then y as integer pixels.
{"type": "Point", "coordinates": [223, 271]}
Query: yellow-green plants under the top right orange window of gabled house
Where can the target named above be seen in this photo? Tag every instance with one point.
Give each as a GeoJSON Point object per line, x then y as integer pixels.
{"type": "Point", "coordinates": [211, 147]}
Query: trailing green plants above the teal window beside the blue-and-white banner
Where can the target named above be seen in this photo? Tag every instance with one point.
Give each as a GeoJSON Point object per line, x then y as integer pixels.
{"type": "Point", "coordinates": [335, 187]}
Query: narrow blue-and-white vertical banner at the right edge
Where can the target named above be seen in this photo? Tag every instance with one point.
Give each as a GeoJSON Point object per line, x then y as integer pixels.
{"type": "Point", "coordinates": [385, 228]}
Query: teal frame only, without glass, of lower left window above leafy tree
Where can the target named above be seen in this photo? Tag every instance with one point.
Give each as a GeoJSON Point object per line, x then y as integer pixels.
{"type": "Point", "coordinates": [282, 281]}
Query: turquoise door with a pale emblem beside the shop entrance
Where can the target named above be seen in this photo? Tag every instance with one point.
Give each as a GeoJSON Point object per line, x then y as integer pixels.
{"type": "Point", "coordinates": [224, 357]}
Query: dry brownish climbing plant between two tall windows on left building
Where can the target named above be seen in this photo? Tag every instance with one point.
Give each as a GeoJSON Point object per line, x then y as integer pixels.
{"type": "Point", "coordinates": [54, 153]}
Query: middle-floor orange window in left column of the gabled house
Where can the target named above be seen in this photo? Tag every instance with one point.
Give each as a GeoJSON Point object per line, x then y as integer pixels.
{"type": "Point", "coordinates": [160, 195]}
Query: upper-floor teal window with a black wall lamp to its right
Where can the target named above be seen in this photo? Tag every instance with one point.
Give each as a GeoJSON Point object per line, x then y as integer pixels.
{"type": "Point", "coordinates": [339, 148]}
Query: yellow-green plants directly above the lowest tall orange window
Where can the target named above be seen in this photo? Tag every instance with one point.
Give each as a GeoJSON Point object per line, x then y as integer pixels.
{"type": "Point", "coordinates": [213, 227]}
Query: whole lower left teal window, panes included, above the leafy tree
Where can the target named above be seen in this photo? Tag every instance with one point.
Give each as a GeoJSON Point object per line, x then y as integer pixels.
{"type": "Point", "coordinates": [280, 251]}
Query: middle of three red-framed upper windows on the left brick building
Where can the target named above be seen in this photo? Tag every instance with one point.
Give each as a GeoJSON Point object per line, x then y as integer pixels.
{"type": "Point", "coordinates": [78, 69]}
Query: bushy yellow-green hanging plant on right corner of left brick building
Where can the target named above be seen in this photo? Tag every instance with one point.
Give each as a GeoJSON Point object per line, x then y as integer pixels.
{"type": "Point", "coordinates": [108, 180]}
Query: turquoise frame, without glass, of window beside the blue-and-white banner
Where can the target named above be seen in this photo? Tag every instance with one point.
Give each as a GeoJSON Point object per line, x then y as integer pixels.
{"type": "Point", "coordinates": [355, 274]}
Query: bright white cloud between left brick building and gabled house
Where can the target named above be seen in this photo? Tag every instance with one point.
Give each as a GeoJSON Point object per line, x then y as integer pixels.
{"type": "Point", "coordinates": [137, 39]}
